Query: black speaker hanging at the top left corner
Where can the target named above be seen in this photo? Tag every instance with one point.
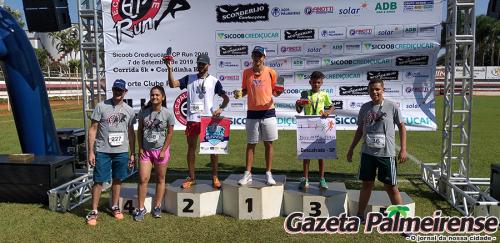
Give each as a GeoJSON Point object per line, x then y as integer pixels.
{"type": "Point", "coordinates": [46, 15]}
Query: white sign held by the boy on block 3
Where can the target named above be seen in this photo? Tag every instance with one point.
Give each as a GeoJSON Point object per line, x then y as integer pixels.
{"type": "Point", "coordinates": [316, 138]}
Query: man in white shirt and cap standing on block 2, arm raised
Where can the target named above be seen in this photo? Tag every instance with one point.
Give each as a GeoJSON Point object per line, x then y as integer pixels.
{"type": "Point", "coordinates": [201, 89]}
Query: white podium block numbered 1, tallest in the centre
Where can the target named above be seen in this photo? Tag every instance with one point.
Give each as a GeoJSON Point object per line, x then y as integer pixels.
{"type": "Point", "coordinates": [256, 200]}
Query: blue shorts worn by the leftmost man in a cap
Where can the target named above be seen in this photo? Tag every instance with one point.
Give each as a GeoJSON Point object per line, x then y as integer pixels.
{"type": "Point", "coordinates": [107, 164]}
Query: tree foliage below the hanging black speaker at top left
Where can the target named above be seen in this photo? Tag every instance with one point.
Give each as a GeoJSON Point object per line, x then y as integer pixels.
{"type": "Point", "coordinates": [67, 41]}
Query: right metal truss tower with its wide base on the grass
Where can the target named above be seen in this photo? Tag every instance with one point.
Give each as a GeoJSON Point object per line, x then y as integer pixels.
{"type": "Point", "coordinates": [451, 178]}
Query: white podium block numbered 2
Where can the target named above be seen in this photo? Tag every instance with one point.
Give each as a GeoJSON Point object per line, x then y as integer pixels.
{"type": "Point", "coordinates": [199, 200]}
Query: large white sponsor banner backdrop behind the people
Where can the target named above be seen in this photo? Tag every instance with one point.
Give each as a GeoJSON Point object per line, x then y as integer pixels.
{"type": "Point", "coordinates": [351, 42]}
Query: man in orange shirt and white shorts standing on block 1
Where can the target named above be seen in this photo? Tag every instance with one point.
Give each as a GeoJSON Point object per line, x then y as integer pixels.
{"type": "Point", "coordinates": [258, 83]}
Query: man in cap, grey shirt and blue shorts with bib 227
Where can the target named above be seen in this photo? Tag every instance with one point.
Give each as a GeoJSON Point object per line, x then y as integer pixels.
{"type": "Point", "coordinates": [110, 136]}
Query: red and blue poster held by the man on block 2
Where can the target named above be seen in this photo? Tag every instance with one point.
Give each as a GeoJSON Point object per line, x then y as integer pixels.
{"type": "Point", "coordinates": [214, 135]}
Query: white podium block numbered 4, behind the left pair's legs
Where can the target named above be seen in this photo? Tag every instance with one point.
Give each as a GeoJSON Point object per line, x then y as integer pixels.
{"type": "Point", "coordinates": [128, 199]}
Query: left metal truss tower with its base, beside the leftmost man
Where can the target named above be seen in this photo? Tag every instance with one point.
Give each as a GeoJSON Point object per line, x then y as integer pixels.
{"type": "Point", "coordinates": [74, 193]}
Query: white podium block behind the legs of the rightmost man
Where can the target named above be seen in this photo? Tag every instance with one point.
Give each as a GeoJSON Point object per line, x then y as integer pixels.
{"type": "Point", "coordinates": [379, 201]}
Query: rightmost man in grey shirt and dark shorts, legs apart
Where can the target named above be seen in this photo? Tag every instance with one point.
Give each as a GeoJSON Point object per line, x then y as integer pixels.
{"type": "Point", "coordinates": [376, 122]}
